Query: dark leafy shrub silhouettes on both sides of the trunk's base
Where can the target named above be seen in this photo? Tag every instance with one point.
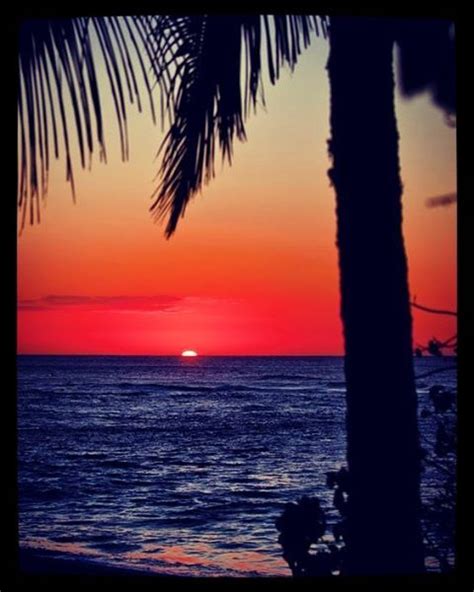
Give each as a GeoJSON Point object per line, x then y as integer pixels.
{"type": "Point", "coordinates": [310, 551]}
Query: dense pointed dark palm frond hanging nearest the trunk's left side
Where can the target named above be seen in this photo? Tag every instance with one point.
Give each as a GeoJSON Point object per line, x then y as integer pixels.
{"type": "Point", "coordinates": [198, 63]}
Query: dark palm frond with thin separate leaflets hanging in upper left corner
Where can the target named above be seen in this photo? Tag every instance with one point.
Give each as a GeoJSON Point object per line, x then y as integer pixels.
{"type": "Point", "coordinates": [57, 65]}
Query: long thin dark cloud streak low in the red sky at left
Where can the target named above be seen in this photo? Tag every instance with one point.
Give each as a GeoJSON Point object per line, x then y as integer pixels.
{"type": "Point", "coordinates": [158, 303]}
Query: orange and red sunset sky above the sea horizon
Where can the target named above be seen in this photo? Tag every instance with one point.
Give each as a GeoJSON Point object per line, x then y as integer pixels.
{"type": "Point", "coordinates": [252, 268]}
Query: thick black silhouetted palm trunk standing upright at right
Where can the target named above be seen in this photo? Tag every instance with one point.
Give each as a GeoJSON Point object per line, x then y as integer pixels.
{"type": "Point", "coordinates": [383, 533]}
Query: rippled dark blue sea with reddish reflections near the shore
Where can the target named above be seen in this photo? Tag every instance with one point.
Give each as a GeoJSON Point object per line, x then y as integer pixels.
{"type": "Point", "coordinates": [180, 465]}
